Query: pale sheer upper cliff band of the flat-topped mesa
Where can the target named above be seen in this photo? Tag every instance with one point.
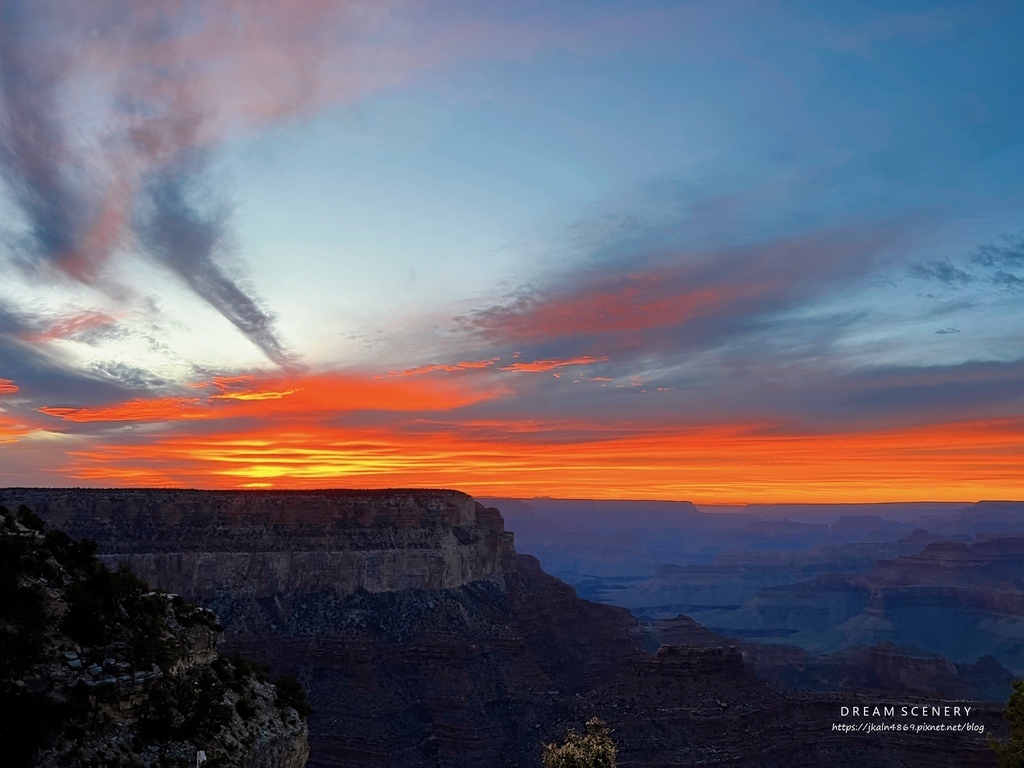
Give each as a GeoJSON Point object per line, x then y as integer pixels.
{"type": "Point", "coordinates": [268, 545]}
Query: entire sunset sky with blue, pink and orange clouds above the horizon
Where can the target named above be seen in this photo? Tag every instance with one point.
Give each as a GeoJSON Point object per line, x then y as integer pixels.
{"type": "Point", "coordinates": [724, 252]}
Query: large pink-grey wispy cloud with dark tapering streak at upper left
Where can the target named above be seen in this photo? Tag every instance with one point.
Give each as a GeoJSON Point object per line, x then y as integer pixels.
{"type": "Point", "coordinates": [108, 111]}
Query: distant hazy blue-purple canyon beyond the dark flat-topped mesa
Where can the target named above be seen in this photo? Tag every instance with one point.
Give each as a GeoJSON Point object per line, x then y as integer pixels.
{"type": "Point", "coordinates": [932, 580]}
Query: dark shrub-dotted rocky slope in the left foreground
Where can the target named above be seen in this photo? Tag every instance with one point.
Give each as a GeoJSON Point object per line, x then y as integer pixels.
{"type": "Point", "coordinates": [97, 670]}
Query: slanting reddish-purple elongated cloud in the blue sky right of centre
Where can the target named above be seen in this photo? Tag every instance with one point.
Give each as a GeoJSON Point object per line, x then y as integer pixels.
{"type": "Point", "coordinates": [673, 303]}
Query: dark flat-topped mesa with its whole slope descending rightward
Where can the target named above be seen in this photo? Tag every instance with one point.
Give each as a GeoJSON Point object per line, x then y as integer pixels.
{"type": "Point", "coordinates": [424, 639]}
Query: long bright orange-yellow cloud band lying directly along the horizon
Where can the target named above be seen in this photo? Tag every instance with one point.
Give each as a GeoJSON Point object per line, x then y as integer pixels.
{"type": "Point", "coordinates": [729, 463]}
